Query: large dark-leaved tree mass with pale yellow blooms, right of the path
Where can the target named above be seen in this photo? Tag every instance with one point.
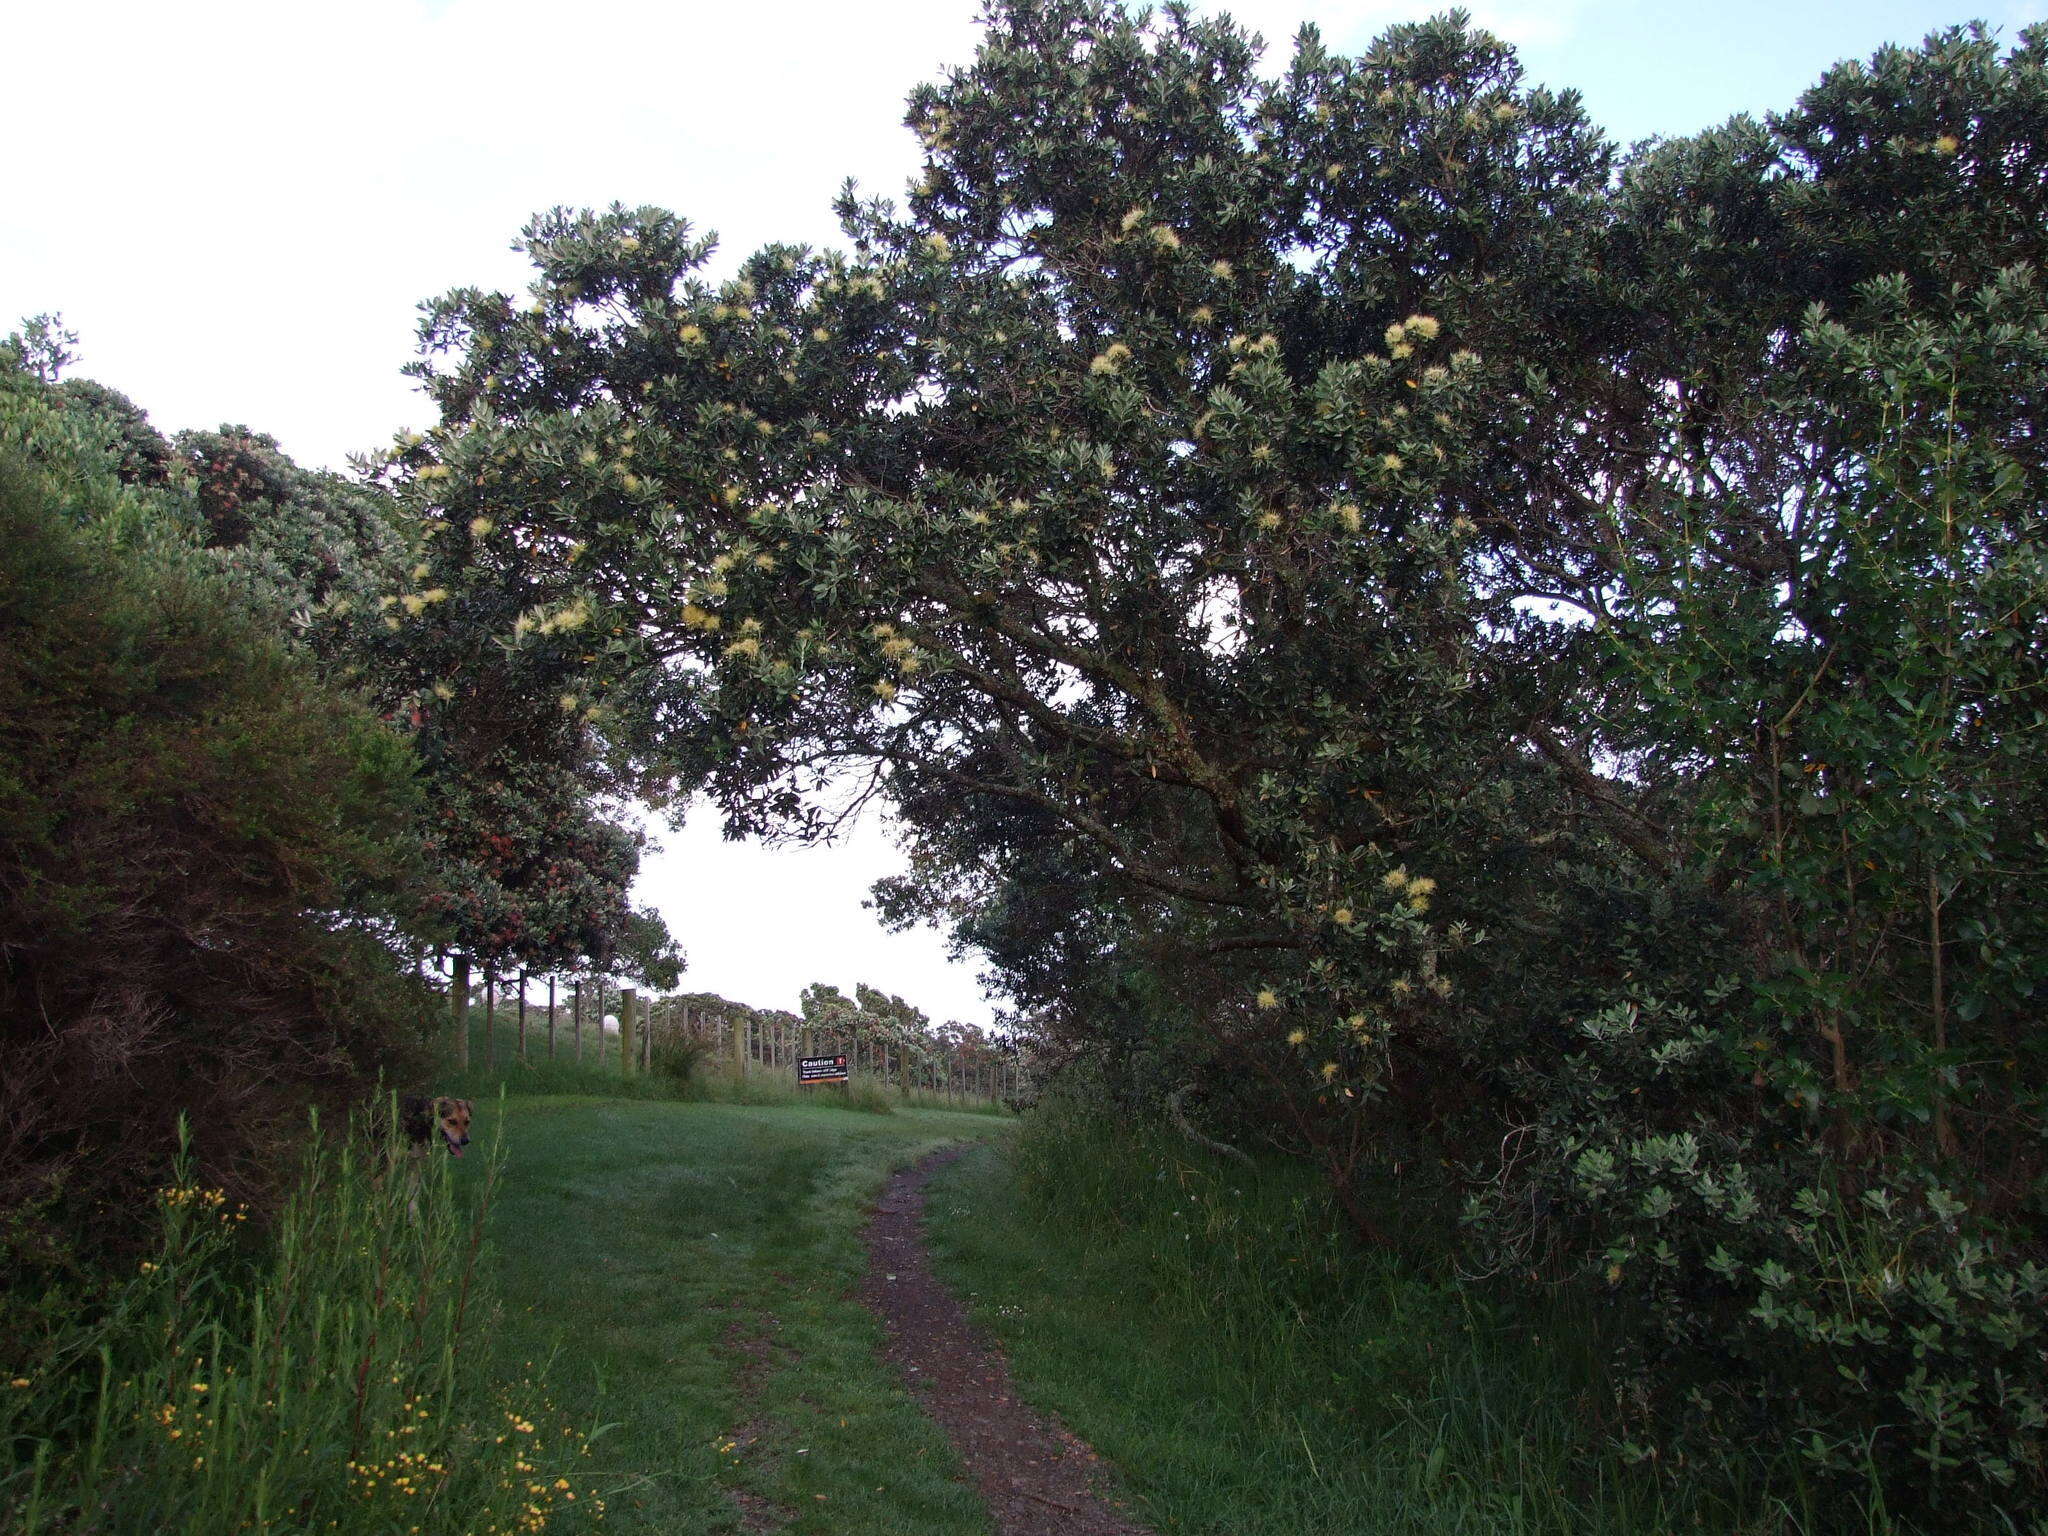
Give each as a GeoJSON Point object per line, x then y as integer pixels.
{"type": "Point", "coordinates": [1340, 579]}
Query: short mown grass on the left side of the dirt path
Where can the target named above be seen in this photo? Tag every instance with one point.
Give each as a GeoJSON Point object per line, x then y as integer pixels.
{"type": "Point", "coordinates": [685, 1275]}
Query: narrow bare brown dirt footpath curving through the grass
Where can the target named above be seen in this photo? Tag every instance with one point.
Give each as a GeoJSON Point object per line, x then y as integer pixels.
{"type": "Point", "coordinates": [1035, 1478]}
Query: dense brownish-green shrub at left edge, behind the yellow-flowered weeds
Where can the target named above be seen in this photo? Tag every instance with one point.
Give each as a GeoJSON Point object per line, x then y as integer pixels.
{"type": "Point", "coordinates": [200, 865]}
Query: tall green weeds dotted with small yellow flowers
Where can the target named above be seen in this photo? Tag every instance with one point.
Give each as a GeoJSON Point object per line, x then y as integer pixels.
{"type": "Point", "coordinates": [335, 1379]}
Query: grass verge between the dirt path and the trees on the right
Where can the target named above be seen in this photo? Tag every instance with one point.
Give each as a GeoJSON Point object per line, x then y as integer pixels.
{"type": "Point", "coordinates": [1250, 1373]}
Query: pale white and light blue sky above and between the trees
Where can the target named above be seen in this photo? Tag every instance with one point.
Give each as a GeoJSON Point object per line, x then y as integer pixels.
{"type": "Point", "coordinates": [239, 206]}
